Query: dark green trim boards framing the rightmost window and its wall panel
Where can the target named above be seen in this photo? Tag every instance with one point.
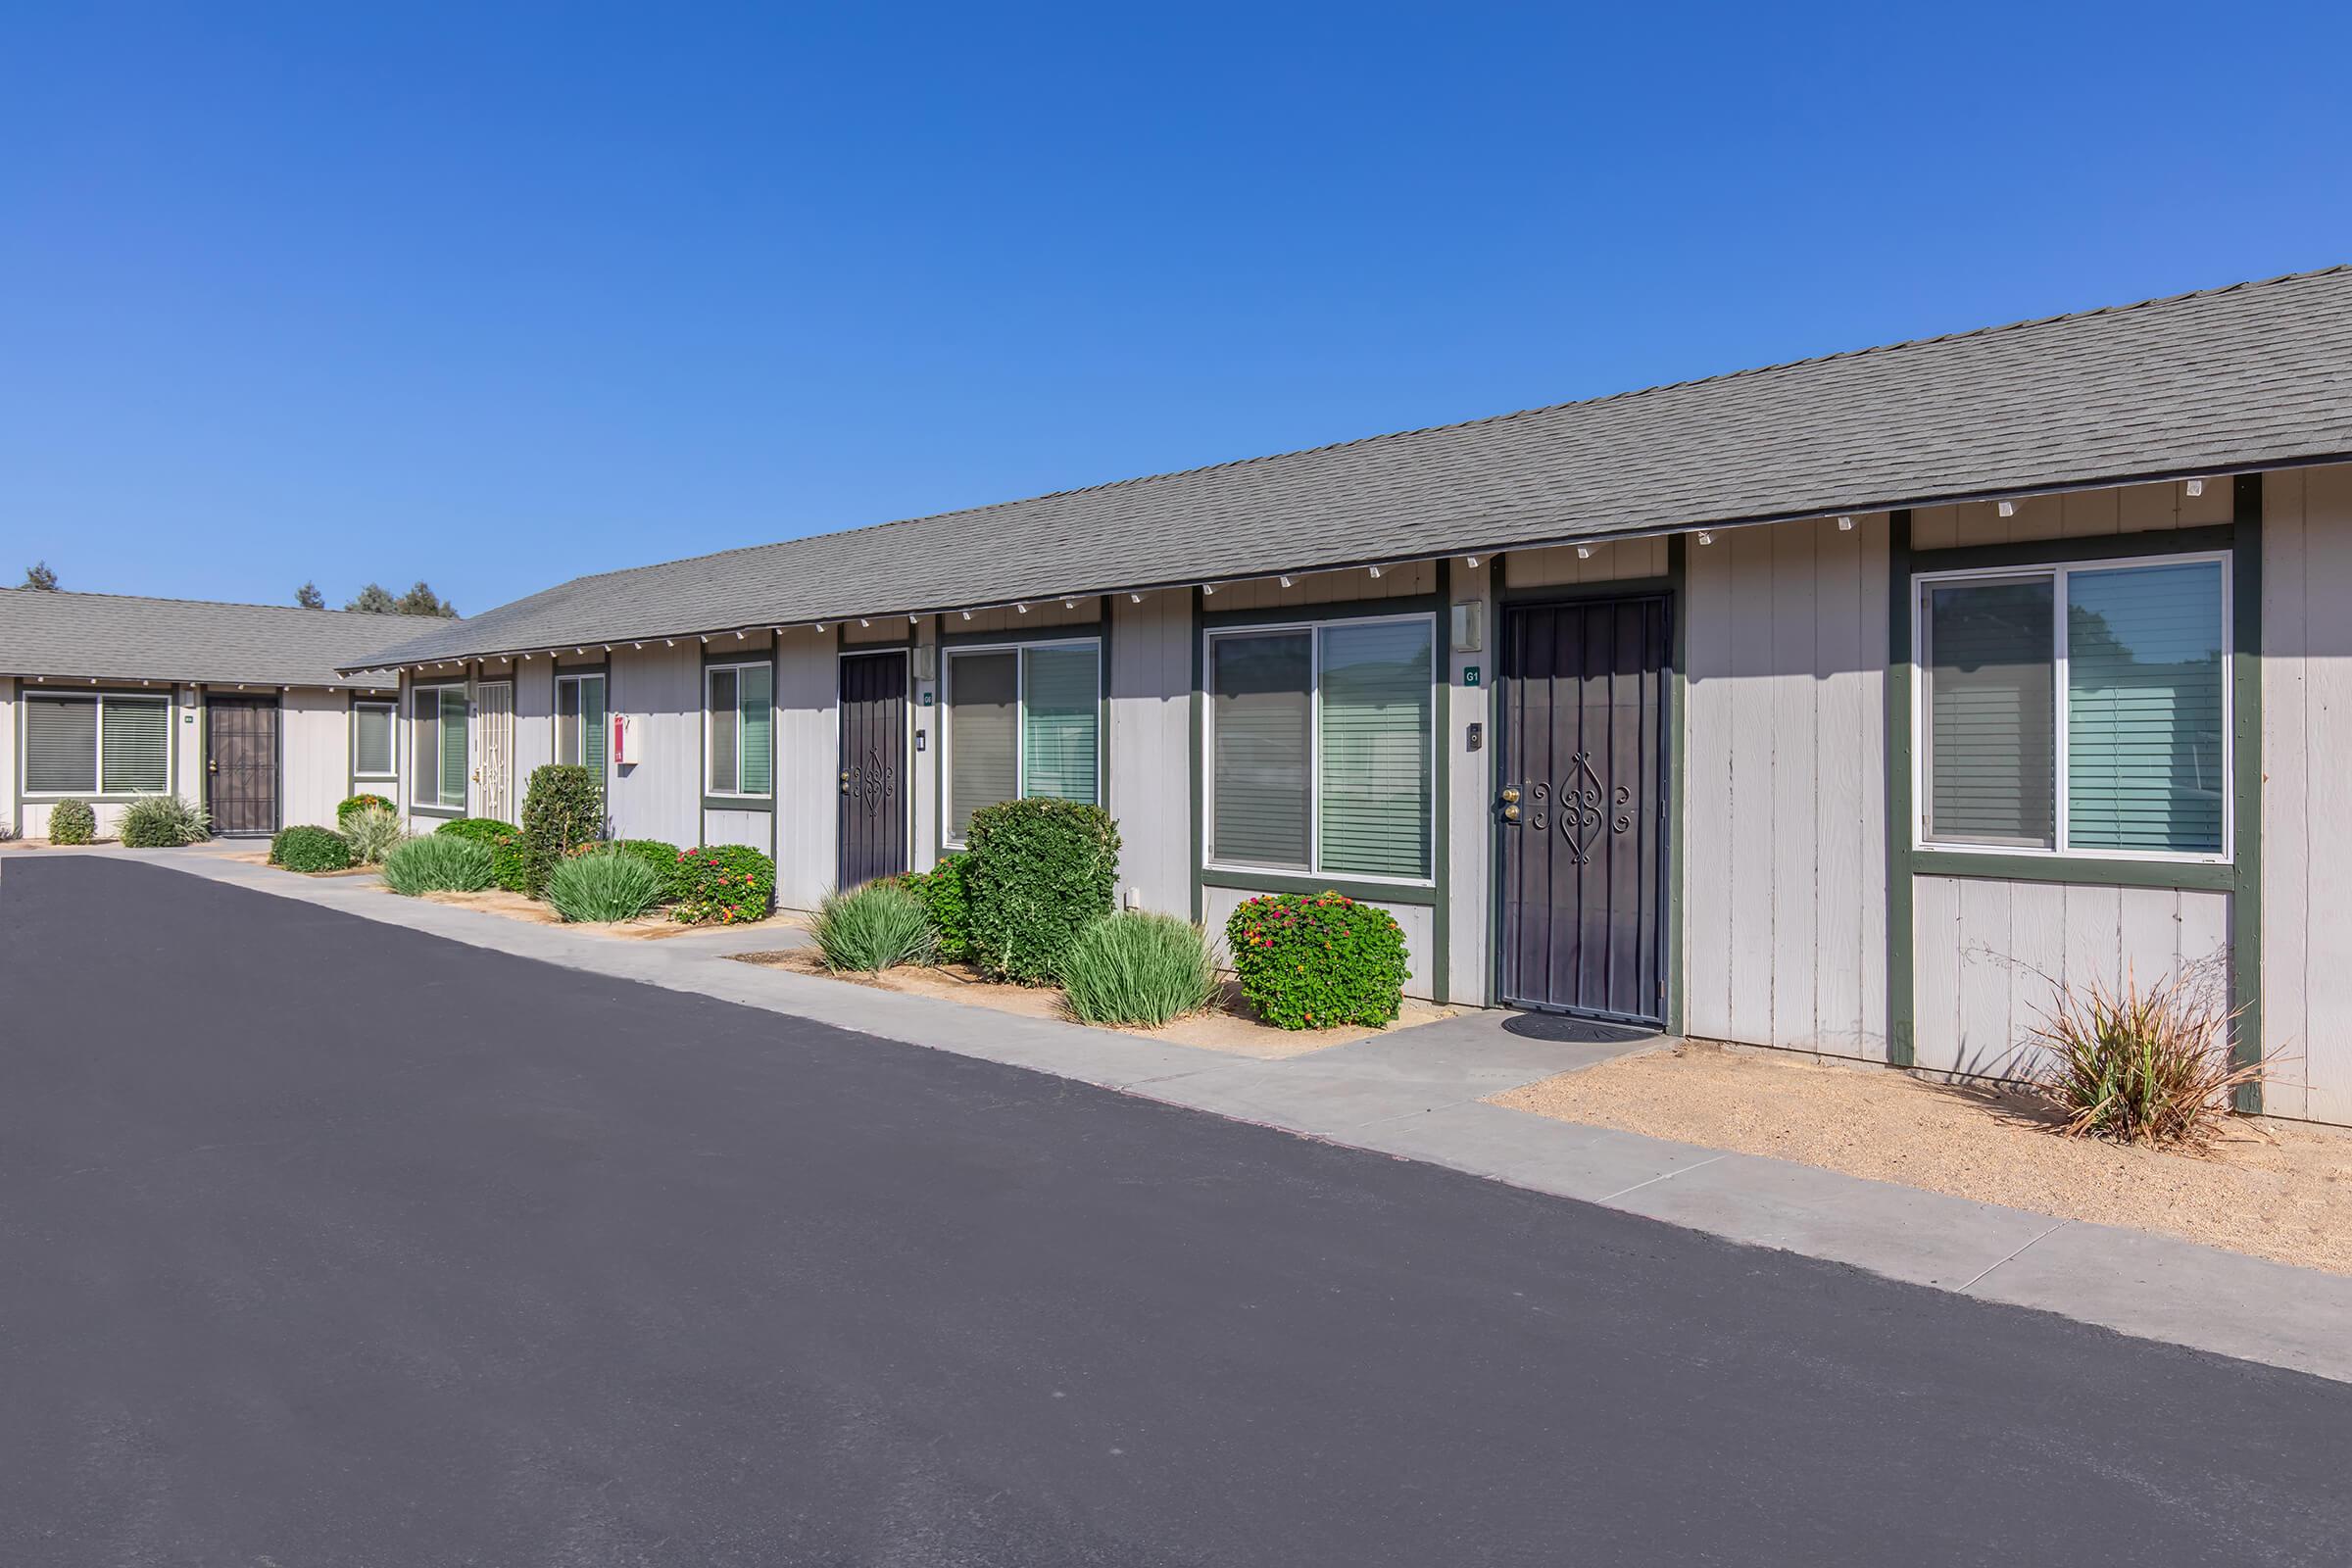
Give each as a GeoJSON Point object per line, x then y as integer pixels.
{"type": "Point", "coordinates": [2243, 878]}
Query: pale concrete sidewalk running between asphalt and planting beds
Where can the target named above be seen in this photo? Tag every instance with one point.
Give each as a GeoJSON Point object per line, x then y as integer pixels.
{"type": "Point", "coordinates": [1422, 1097]}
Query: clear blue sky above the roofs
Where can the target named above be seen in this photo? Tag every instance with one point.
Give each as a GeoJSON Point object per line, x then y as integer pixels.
{"type": "Point", "coordinates": [497, 295]}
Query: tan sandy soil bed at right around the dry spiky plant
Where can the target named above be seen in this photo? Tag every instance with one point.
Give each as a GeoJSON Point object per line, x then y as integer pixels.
{"type": "Point", "coordinates": [2276, 1188]}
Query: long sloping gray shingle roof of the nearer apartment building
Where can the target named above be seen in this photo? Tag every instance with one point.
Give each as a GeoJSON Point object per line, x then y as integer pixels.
{"type": "Point", "coordinates": [2226, 380]}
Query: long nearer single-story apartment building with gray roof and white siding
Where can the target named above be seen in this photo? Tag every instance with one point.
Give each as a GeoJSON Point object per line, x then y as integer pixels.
{"type": "Point", "coordinates": [1845, 706]}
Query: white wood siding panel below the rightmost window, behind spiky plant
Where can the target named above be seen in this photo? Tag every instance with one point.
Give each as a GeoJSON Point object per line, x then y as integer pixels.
{"type": "Point", "coordinates": [1993, 958]}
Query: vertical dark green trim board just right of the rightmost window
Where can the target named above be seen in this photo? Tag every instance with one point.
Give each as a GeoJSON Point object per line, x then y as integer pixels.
{"type": "Point", "coordinates": [2247, 784]}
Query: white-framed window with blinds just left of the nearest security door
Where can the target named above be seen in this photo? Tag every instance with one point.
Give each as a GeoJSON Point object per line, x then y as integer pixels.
{"type": "Point", "coordinates": [1321, 749]}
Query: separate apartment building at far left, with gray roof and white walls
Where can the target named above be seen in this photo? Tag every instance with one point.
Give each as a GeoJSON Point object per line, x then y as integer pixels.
{"type": "Point", "coordinates": [236, 706]}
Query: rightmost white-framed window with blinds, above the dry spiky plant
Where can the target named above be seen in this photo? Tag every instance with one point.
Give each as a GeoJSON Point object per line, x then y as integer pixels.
{"type": "Point", "coordinates": [2099, 730]}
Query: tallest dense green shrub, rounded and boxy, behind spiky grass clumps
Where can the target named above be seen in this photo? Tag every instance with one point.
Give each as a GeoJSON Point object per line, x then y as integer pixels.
{"type": "Point", "coordinates": [1038, 873]}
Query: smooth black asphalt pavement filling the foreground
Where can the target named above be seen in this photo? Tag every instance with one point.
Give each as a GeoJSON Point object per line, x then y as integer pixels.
{"type": "Point", "coordinates": [326, 1242]}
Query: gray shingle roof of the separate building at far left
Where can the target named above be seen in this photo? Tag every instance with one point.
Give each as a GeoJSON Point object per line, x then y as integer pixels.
{"type": "Point", "coordinates": [81, 636]}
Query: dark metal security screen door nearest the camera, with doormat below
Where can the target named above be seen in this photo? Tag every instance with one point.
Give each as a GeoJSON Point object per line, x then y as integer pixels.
{"type": "Point", "coordinates": [1584, 840]}
